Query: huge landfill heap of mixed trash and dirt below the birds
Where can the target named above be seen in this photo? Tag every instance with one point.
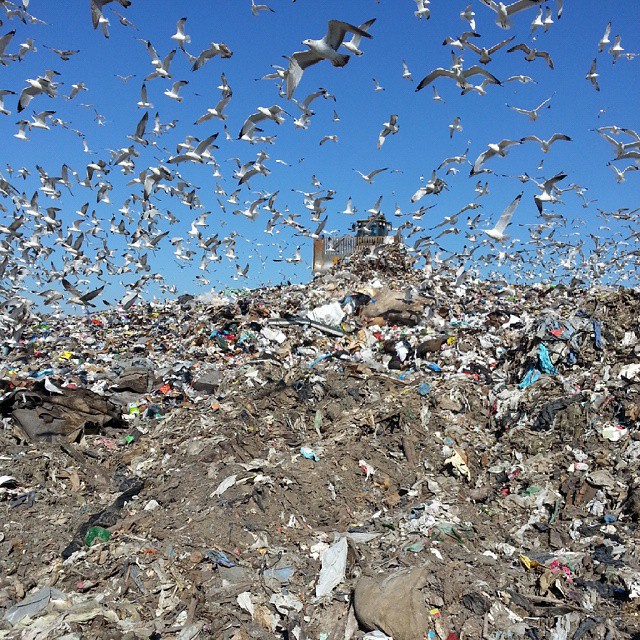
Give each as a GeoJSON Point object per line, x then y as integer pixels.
{"type": "Point", "coordinates": [399, 456]}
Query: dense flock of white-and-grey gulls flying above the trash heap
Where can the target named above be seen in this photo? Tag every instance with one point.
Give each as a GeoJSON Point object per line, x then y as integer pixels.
{"type": "Point", "coordinates": [47, 257]}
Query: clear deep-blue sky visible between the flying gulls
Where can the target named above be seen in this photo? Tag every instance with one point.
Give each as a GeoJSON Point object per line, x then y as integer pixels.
{"type": "Point", "coordinates": [259, 41]}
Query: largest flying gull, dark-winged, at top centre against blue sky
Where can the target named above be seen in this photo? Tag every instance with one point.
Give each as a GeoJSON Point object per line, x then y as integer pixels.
{"type": "Point", "coordinates": [324, 49]}
